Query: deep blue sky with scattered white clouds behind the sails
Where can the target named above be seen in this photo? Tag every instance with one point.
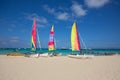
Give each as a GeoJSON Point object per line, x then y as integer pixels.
{"type": "Point", "coordinates": [98, 22]}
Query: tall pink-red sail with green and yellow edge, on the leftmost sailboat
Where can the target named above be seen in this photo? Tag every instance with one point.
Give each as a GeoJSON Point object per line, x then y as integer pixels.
{"type": "Point", "coordinates": [33, 40]}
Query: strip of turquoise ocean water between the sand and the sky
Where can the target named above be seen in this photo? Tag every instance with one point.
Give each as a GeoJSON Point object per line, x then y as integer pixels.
{"type": "Point", "coordinates": [62, 52]}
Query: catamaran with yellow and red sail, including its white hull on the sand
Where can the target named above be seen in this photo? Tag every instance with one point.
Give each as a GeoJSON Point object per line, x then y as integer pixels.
{"type": "Point", "coordinates": [75, 44]}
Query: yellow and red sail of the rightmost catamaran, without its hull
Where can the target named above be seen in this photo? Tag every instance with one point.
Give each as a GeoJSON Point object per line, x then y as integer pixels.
{"type": "Point", "coordinates": [75, 44]}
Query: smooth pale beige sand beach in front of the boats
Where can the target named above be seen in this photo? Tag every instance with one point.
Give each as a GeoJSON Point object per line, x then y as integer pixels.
{"type": "Point", "coordinates": [59, 68]}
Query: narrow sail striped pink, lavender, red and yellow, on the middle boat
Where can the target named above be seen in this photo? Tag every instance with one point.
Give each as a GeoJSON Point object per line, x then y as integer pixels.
{"type": "Point", "coordinates": [51, 39]}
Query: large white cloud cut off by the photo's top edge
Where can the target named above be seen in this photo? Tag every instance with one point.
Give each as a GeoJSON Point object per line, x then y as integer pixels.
{"type": "Point", "coordinates": [96, 3]}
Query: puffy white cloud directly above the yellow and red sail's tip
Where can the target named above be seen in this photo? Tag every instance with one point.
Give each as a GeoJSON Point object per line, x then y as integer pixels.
{"type": "Point", "coordinates": [78, 10]}
